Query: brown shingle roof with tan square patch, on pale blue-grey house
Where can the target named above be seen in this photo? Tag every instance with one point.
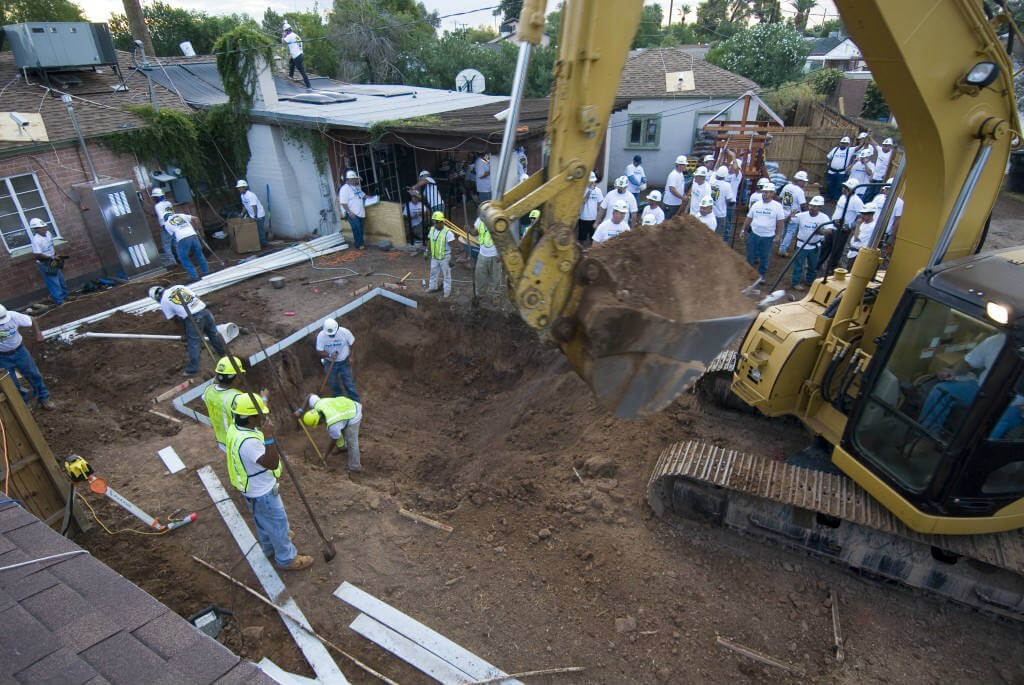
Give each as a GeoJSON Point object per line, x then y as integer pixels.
{"type": "Point", "coordinates": [645, 73]}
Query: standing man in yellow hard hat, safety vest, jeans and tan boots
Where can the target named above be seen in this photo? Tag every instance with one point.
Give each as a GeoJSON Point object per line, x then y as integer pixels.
{"type": "Point", "coordinates": [254, 473]}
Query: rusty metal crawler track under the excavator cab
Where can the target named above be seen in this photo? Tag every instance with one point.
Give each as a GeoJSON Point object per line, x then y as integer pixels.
{"type": "Point", "coordinates": [833, 519]}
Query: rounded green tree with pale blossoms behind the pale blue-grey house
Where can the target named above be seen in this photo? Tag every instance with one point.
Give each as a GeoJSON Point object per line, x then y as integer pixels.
{"type": "Point", "coordinates": [771, 55]}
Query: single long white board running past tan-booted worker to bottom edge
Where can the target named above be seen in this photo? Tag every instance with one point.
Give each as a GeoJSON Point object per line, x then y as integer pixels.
{"type": "Point", "coordinates": [315, 652]}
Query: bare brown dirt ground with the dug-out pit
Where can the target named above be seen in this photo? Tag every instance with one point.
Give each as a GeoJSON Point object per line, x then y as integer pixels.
{"type": "Point", "coordinates": [556, 560]}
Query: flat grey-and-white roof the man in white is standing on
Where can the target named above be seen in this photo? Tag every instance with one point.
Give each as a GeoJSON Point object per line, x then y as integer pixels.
{"type": "Point", "coordinates": [346, 105]}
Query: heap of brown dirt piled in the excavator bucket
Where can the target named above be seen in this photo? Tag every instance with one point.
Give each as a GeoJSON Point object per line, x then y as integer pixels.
{"type": "Point", "coordinates": [678, 270]}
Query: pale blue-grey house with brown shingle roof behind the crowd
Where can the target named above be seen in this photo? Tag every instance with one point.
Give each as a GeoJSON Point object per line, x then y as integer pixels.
{"type": "Point", "coordinates": [672, 95]}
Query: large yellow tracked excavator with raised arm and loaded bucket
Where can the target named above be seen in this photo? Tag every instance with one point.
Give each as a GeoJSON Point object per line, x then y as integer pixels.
{"type": "Point", "coordinates": [910, 378]}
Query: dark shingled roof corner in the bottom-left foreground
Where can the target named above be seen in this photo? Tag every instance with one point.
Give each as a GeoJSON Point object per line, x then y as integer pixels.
{"type": "Point", "coordinates": [74, 620]}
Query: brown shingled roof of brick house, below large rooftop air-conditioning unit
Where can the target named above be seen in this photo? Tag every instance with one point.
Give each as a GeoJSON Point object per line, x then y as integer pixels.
{"type": "Point", "coordinates": [99, 108]}
